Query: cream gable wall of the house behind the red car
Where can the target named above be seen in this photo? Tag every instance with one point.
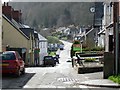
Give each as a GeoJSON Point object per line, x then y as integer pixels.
{"type": "Point", "coordinates": [13, 38]}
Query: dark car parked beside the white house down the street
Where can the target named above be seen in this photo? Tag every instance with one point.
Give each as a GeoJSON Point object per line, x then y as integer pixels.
{"type": "Point", "coordinates": [49, 60]}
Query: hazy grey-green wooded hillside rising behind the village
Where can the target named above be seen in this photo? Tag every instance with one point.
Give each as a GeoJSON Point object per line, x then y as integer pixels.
{"type": "Point", "coordinates": [49, 14]}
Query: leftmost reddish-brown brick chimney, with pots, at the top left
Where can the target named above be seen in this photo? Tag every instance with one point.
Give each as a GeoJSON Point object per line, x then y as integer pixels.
{"type": "Point", "coordinates": [7, 11]}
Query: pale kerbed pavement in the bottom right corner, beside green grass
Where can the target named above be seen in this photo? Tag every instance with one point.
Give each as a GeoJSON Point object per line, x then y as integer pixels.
{"type": "Point", "coordinates": [101, 83]}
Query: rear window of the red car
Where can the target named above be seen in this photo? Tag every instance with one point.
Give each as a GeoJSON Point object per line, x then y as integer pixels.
{"type": "Point", "coordinates": [7, 56]}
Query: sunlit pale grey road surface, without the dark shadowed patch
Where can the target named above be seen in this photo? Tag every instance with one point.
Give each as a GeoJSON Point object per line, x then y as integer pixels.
{"type": "Point", "coordinates": [60, 76]}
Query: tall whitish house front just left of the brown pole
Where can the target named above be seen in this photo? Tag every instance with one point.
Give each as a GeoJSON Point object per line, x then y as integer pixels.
{"type": "Point", "coordinates": [106, 30]}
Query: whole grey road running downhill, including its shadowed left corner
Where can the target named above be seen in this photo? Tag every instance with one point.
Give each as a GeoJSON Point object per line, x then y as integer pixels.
{"type": "Point", "coordinates": [60, 76]}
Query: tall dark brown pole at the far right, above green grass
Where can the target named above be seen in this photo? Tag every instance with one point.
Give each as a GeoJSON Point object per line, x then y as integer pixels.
{"type": "Point", "coordinates": [116, 36]}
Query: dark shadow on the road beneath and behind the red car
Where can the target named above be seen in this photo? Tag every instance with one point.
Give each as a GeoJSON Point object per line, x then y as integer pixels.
{"type": "Point", "coordinates": [11, 82]}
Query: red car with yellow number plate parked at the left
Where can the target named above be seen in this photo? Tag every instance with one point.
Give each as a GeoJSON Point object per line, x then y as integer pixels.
{"type": "Point", "coordinates": [12, 63]}
